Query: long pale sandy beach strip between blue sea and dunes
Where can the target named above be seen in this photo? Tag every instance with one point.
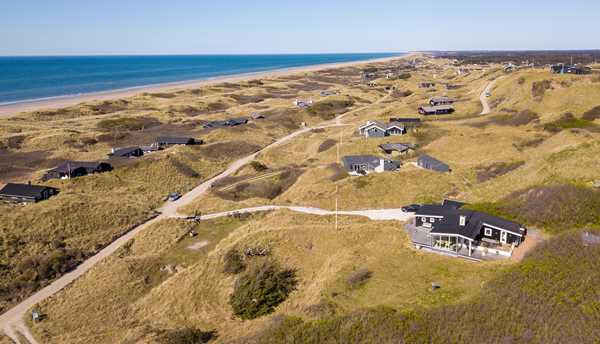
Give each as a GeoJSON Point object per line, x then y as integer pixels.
{"type": "Point", "coordinates": [10, 110]}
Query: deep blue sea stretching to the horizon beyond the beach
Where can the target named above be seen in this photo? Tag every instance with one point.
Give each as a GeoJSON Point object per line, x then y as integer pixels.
{"type": "Point", "coordinates": [34, 78]}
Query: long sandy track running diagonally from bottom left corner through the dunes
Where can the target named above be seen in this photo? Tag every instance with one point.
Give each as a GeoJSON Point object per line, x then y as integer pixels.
{"type": "Point", "coordinates": [12, 323]}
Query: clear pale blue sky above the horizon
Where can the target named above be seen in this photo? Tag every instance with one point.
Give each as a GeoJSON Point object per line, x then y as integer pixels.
{"type": "Point", "coordinates": [69, 27]}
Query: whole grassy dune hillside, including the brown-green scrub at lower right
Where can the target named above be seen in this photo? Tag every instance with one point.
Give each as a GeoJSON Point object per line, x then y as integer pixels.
{"type": "Point", "coordinates": [528, 160]}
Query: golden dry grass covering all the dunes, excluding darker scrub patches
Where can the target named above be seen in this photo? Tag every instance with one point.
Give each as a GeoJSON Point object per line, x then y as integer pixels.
{"type": "Point", "coordinates": [196, 297]}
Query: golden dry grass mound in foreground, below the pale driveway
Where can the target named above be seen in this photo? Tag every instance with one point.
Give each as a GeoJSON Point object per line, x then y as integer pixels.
{"type": "Point", "coordinates": [197, 295]}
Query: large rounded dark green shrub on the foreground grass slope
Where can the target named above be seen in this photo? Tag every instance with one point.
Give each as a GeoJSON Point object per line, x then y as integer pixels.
{"type": "Point", "coordinates": [260, 290]}
